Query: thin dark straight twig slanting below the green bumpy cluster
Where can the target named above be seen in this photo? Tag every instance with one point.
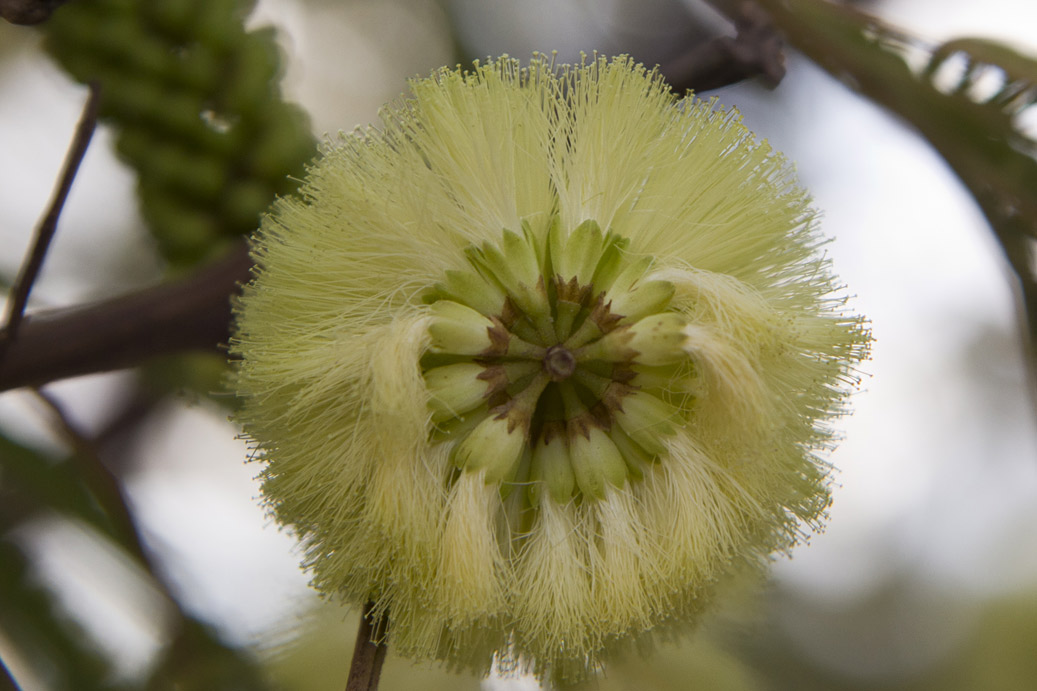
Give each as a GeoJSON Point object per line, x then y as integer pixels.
{"type": "Point", "coordinates": [49, 225]}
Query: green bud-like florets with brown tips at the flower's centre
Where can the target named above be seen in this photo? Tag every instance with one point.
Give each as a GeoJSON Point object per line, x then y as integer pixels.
{"type": "Point", "coordinates": [535, 362]}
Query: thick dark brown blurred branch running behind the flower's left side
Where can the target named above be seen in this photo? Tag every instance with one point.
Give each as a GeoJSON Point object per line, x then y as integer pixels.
{"type": "Point", "coordinates": [192, 314]}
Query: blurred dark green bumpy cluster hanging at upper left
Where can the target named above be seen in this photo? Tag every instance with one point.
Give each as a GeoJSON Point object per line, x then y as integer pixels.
{"type": "Point", "coordinates": [198, 110]}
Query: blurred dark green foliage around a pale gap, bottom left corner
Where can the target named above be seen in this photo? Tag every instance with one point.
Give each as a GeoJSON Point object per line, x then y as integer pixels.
{"type": "Point", "coordinates": [35, 486]}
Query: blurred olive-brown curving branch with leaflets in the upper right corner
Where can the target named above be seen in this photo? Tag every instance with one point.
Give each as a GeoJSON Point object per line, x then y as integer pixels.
{"type": "Point", "coordinates": [976, 127]}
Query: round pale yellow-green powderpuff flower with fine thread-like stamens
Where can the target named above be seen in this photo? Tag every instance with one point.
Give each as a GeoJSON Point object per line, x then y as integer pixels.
{"type": "Point", "coordinates": [537, 365]}
